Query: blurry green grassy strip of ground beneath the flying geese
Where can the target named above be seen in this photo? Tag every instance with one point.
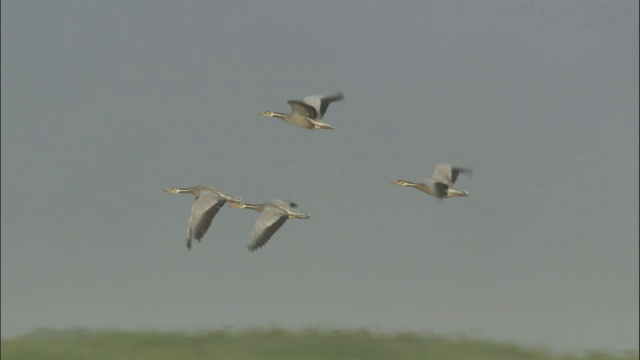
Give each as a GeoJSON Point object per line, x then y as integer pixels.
{"type": "Point", "coordinates": [270, 344]}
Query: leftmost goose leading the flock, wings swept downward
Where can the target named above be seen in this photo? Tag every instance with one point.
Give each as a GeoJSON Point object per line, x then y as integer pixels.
{"type": "Point", "coordinates": [208, 202]}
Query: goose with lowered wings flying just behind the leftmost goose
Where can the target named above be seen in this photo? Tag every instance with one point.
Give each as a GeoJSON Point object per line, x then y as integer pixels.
{"type": "Point", "coordinates": [274, 214]}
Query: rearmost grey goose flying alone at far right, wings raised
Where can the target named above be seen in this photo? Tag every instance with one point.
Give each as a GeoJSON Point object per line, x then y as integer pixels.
{"type": "Point", "coordinates": [441, 182]}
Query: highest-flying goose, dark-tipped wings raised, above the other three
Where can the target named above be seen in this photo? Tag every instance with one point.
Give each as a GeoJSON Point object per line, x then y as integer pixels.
{"type": "Point", "coordinates": [307, 113]}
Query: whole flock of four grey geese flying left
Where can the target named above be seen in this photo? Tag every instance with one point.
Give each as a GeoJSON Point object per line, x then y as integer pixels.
{"type": "Point", "coordinates": [306, 113]}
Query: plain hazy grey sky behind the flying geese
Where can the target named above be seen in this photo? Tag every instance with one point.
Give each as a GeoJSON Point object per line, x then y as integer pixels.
{"type": "Point", "coordinates": [104, 104]}
